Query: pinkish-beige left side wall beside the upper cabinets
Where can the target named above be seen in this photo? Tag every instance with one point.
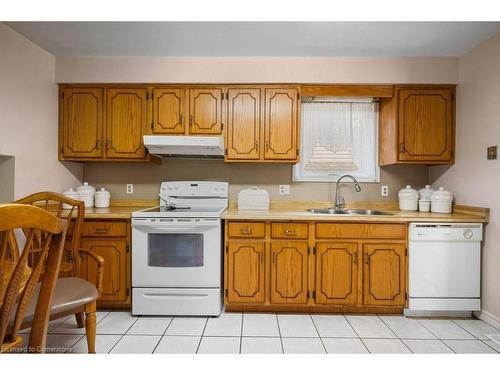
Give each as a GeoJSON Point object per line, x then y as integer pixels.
{"type": "Point", "coordinates": [28, 116]}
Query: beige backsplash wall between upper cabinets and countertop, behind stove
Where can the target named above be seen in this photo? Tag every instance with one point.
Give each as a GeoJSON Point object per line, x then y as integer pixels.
{"type": "Point", "coordinates": [146, 179]}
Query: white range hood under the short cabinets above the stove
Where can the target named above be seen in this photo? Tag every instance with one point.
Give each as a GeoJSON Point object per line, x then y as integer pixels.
{"type": "Point", "coordinates": [185, 146]}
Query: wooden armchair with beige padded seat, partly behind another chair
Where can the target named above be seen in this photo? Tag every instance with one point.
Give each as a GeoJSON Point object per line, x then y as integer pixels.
{"type": "Point", "coordinates": [73, 295]}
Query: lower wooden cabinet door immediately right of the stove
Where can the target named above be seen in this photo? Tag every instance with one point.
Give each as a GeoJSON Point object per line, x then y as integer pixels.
{"type": "Point", "coordinates": [245, 271]}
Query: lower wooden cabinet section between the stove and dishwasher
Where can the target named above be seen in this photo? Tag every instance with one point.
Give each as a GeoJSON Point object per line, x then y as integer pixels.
{"type": "Point", "coordinates": [358, 269]}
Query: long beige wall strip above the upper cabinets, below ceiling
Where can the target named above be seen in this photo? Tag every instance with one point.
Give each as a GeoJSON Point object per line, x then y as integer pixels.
{"type": "Point", "coordinates": [257, 69]}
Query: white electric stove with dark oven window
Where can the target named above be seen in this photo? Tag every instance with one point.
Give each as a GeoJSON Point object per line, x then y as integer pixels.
{"type": "Point", "coordinates": [177, 251]}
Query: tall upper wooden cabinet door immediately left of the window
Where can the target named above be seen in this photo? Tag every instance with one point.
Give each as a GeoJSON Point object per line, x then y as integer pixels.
{"type": "Point", "coordinates": [280, 124]}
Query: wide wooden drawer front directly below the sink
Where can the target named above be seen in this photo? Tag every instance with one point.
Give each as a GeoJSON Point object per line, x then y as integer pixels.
{"type": "Point", "coordinates": [364, 231]}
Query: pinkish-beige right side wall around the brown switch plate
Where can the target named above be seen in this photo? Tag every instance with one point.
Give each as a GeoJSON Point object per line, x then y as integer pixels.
{"type": "Point", "coordinates": [473, 179]}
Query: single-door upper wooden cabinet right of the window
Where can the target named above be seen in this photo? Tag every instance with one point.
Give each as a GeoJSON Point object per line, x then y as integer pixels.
{"type": "Point", "coordinates": [417, 126]}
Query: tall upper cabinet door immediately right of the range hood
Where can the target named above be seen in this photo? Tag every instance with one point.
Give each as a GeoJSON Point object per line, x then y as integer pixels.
{"type": "Point", "coordinates": [243, 124]}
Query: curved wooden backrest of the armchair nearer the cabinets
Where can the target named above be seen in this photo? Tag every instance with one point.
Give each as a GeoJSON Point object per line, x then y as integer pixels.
{"type": "Point", "coordinates": [53, 202]}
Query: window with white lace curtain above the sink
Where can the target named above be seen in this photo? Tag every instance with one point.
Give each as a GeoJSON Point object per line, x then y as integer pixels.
{"type": "Point", "coordinates": [338, 136]}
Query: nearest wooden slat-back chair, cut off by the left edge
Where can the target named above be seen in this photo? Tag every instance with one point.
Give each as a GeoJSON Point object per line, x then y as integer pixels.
{"type": "Point", "coordinates": [20, 288]}
